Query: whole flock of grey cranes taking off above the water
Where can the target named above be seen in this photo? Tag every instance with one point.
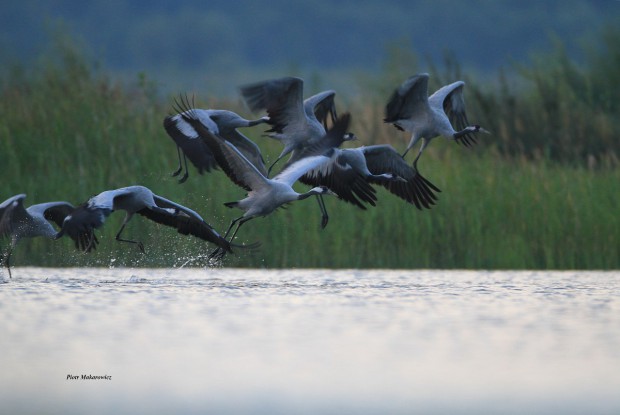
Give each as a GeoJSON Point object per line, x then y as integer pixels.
{"type": "Point", "coordinates": [311, 134]}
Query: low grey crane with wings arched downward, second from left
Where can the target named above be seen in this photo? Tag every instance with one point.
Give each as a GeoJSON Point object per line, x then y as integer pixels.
{"type": "Point", "coordinates": [141, 200]}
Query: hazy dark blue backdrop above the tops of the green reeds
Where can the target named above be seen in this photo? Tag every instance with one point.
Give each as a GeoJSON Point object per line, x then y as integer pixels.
{"type": "Point", "coordinates": [220, 37]}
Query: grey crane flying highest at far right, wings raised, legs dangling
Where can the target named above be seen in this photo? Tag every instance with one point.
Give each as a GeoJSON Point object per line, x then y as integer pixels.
{"type": "Point", "coordinates": [411, 109]}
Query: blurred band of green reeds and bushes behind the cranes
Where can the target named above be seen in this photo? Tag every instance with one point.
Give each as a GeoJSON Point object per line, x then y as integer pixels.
{"type": "Point", "coordinates": [540, 192]}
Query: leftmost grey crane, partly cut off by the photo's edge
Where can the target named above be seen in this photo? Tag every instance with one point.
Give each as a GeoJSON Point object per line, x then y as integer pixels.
{"type": "Point", "coordinates": [18, 222]}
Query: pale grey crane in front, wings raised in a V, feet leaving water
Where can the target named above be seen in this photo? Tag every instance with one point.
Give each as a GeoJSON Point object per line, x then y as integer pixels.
{"type": "Point", "coordinates": [265, 195]}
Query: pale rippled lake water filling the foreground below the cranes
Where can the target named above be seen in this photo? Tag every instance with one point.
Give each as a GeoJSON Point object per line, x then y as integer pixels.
{"type": "Point", "coordinates": [233, 341]}
